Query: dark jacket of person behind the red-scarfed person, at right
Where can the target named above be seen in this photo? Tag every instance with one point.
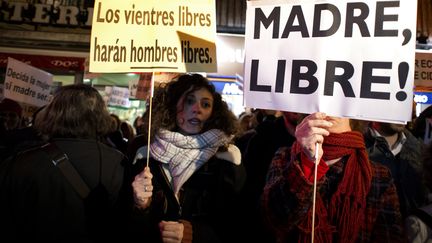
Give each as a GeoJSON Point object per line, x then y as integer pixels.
{"type": "Point", "coordinates": [405, 168]}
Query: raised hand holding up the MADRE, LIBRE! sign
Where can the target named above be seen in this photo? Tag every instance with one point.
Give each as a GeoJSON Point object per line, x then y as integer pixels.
{"type": "Point", "coordinates": [311, 131]}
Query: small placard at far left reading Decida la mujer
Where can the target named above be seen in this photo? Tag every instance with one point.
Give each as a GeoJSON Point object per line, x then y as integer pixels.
{"type": "Point", "coordinates": [27, 84]}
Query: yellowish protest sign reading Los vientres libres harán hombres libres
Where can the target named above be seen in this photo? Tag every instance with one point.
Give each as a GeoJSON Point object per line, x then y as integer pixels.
{"type": "Point", "coordinates": [153, 35]}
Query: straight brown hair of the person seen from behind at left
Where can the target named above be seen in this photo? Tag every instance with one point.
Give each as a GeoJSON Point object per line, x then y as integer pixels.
{"type": "Point", "coordinates": [76, 111]}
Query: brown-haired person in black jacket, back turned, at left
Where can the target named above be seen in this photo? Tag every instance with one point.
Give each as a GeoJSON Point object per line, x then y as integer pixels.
{"type": "Point", "coordinates": [37, 201]}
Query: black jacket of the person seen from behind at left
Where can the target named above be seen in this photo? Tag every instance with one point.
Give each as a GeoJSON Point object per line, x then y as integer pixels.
{"type": "Point", "coordinates": [37, 202]}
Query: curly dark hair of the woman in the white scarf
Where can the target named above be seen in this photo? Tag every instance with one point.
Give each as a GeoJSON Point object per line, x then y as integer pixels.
{"type": "Point", "coordinates": [164, 106]}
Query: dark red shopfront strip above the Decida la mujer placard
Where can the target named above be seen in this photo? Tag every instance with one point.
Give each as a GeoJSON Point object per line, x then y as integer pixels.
{"type": "Point", "coordinates": [57, 63]}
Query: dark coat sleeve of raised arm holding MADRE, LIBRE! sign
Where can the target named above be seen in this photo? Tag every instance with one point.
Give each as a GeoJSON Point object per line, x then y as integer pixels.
{"type": "Point", "coordinates": [287, 195]}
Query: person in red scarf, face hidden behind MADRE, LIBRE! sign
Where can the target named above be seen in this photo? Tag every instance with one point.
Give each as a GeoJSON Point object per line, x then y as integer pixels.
{"type": "Point", "coordinates": [356, 199]}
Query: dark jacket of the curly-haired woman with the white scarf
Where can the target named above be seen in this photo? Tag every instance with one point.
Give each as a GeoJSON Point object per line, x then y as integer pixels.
{"type": "Point", "coordinates": [206, 200]}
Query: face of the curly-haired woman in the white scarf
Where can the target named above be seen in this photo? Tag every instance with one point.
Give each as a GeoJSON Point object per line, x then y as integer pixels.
{"type": "Point", "coordinates": [193, 110]}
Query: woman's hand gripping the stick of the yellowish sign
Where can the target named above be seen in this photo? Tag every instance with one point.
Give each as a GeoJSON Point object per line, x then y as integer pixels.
{"type": "Point", "coordinates": [143, 188]}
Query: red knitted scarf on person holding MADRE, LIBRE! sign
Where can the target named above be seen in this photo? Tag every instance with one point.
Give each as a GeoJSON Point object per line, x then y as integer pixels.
{"type": "Point", "coordinates": [346, 209]}
